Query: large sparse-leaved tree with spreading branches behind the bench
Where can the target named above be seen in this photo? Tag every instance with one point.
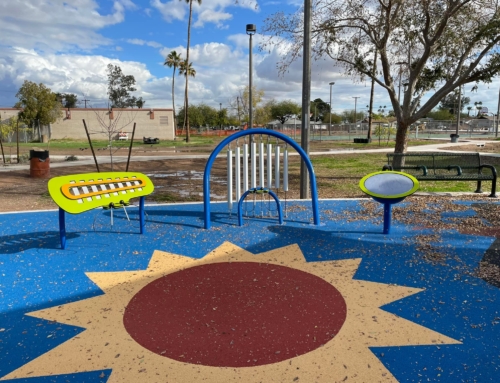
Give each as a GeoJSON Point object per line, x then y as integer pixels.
{"type": "Point", "coordinates": [434, 46]}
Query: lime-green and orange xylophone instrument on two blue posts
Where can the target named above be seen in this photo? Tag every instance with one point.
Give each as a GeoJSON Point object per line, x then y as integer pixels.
{"type": "Point", "coordinates": [78, 193]}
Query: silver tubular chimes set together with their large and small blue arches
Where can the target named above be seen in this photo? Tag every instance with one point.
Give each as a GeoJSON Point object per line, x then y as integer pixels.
{"type": "Point", "coordinates": [259, 166]}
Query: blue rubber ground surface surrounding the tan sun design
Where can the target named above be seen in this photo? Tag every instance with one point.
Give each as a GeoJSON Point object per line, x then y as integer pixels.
{"type": "Point", "coordinates": [451, 301]}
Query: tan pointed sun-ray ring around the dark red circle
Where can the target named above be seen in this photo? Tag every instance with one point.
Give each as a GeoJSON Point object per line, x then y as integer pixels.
{"type": "Point", "coordinates": [106, 344]}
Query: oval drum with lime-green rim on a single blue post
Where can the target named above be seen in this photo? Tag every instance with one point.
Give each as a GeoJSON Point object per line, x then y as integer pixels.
{"type": "Point", "coordinates": [388, 188]}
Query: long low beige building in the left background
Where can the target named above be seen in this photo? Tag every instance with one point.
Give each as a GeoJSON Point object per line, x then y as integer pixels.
{"type": "Point", "coordinates": [155, 123]}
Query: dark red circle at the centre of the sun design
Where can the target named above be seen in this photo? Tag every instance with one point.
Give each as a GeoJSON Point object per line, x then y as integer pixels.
{"type": "Point", "coordinates": [236, 314]}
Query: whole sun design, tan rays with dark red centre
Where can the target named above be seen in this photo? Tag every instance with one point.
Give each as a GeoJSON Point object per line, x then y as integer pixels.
{"type": "Point", "coordinates": [232, 316]}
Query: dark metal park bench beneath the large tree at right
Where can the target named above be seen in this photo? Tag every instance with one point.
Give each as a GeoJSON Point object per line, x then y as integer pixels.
{"type": "Point", "coordinates": [436, 166]}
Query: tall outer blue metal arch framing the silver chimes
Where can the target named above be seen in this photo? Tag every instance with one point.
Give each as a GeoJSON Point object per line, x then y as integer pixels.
{"type": "Point", "coordinates": [281, 136]}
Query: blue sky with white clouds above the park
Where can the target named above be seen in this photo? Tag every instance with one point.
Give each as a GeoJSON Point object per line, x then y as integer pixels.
{"type": "Point", "coordinates": [67, 45]}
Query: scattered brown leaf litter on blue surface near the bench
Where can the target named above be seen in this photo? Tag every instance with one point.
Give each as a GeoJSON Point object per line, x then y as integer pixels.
{"type": "Point", "coordinates": [443, 214]}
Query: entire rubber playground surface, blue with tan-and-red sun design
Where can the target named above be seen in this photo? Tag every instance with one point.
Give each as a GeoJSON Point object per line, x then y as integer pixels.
{"type": "Point", "coordinates": [324, 297]}
